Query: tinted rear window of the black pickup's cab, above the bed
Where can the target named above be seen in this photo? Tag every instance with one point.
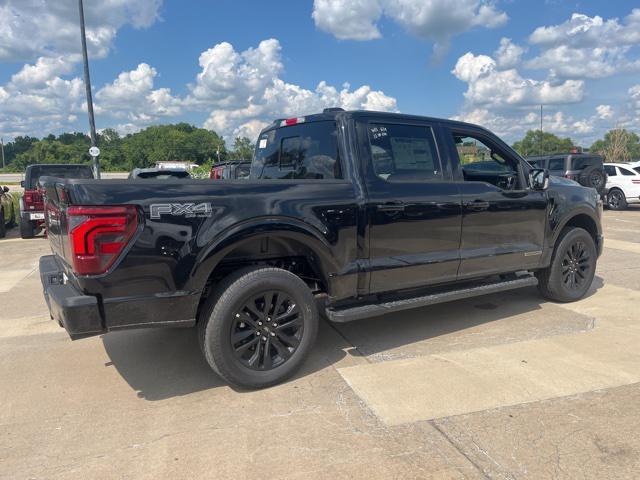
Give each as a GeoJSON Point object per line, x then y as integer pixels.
{"type": "Point", "coordinates": [304, 151]}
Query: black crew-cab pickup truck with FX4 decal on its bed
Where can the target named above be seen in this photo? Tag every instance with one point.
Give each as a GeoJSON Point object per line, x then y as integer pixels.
{"type": "Point", "coordinates": [346, 214]}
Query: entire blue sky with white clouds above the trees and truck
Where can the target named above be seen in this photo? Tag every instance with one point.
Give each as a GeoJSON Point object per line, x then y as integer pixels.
{"type": "Point", "coordinates": [431, 57]}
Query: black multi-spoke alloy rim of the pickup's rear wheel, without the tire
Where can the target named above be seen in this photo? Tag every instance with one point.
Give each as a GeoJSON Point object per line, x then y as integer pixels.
{"type": "Point", "coordinates": [266, 330]}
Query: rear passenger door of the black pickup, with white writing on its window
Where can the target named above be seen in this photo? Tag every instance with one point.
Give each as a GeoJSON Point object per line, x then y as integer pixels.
{"type": "Point", "coordinates": [413, 208]}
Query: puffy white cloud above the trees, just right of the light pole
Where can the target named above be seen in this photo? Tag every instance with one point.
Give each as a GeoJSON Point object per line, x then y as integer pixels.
{"type": "Point", "coordinates": [132, 96]}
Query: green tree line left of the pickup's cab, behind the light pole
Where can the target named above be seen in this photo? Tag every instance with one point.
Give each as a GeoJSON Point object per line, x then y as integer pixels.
{"type": "Point", "coordinates": [174, 142]}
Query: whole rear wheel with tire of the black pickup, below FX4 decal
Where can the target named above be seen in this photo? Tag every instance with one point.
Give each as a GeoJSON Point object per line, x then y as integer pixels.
{"type": "Point", "coordinates": [258, 327]}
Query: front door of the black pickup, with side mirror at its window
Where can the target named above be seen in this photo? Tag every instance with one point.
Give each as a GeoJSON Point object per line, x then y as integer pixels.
{"type": "Point", "coordinates": [503, 221]}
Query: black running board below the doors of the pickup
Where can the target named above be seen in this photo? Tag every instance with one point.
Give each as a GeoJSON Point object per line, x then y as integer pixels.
{"type": "Point", "coordinates": [375, 310]}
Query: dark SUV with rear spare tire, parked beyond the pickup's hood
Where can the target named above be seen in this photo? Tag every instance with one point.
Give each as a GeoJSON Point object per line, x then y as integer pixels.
{"type": "Point", "coordinates": [586, 169]}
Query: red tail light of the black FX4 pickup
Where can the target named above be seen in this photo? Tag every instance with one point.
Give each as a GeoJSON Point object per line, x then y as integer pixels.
{"type": "Point", "coordinates": [98, 235]}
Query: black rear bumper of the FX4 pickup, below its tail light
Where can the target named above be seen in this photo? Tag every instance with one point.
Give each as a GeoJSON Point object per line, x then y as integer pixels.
{"type": "Point", "coordinates": [79, 314]}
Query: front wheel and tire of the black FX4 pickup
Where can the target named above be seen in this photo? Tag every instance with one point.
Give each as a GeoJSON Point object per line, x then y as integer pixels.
{"type": "Point", "coordinates": [573, 266]}
